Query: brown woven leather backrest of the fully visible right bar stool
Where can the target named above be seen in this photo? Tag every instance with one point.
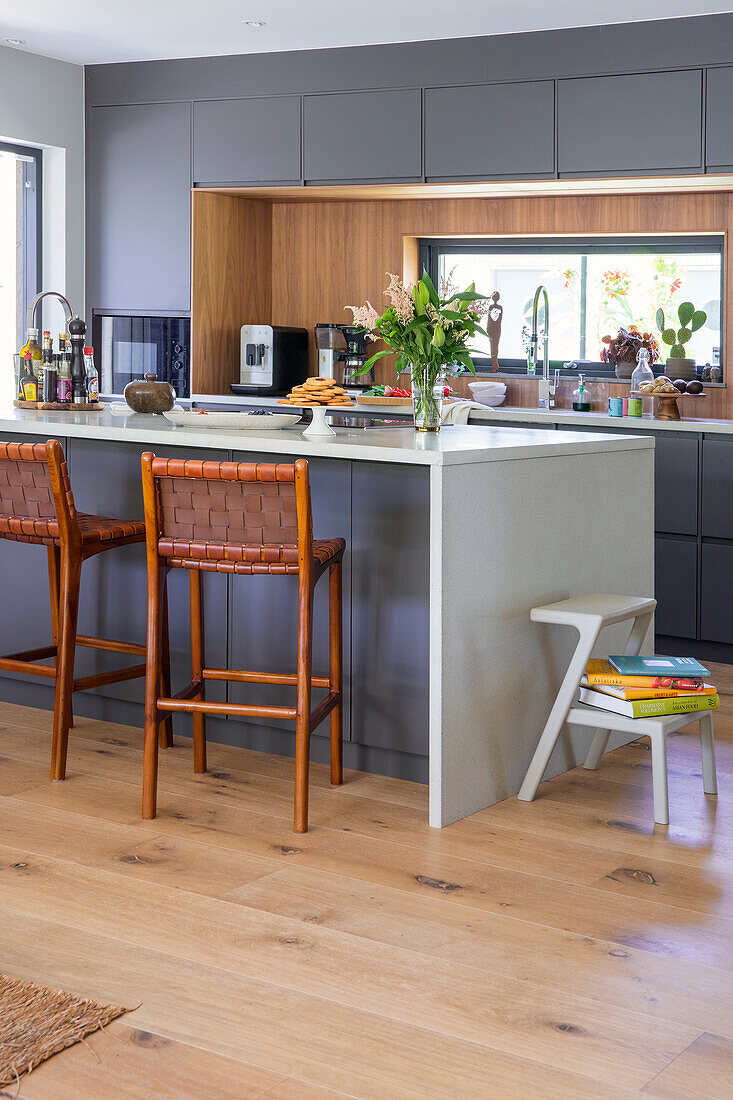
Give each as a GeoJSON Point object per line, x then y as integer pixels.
{"type": "Point", "coordinates": [209, 505]}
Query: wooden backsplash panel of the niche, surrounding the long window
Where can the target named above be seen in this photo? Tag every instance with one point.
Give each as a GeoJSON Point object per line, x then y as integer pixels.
{"type": "Point", "coordinates": [330, 255]}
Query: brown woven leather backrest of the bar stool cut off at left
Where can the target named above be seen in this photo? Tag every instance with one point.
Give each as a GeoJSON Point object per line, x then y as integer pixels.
{"type": "Point", "coordinates": [26, 487]}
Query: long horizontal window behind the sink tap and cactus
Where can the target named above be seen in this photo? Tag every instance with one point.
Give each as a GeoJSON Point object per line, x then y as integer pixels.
{"type": "Point", "coordinates": [596, 285]}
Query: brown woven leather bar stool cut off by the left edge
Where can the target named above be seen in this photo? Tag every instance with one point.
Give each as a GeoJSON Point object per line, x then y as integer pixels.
{"type": "Point", "coordinates": [37, 505]}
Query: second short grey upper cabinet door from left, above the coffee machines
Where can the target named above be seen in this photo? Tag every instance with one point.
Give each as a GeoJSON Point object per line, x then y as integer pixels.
{"type": "Point", "coordinates": [364, 136]}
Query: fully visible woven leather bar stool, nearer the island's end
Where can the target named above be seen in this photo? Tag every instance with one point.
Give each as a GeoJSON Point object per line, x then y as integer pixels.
{"type": "Point", "coordinates": [245, 518]}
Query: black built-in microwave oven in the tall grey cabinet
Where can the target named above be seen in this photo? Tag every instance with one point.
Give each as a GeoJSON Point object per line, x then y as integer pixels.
{"type": "Point", "coordinates": [128, 348]}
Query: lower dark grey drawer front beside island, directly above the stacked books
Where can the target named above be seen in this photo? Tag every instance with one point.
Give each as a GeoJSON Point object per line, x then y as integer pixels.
{"type": "Point", "coordinates": [676, 585]}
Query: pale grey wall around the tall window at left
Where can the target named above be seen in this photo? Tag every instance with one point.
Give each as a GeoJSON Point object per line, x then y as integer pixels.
{"type": "Point", "coordinates": [42, 104]}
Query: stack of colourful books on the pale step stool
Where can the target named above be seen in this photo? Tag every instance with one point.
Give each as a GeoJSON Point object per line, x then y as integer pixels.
{"type": "Point", "coordinates": [649, 687]}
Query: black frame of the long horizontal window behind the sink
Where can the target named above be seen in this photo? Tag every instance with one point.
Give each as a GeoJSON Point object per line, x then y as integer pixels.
{"type": "Point", "coordinates": [430, 249]}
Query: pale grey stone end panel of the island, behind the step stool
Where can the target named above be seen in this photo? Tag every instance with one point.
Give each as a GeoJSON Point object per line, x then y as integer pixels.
{"type": "Point", "coordinates": [509, 536]}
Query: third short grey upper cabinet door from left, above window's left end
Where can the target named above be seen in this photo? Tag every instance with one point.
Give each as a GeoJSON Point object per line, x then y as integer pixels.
{"type": "Point", "coordinates": [490, 130]}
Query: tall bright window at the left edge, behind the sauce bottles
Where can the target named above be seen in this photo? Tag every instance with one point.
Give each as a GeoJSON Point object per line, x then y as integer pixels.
{"type": "Point", "coordinates": [20, 248]}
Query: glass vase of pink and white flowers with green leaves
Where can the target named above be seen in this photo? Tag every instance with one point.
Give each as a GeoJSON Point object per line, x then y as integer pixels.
{"type": "Point", "coordinates": [430, 333]}
